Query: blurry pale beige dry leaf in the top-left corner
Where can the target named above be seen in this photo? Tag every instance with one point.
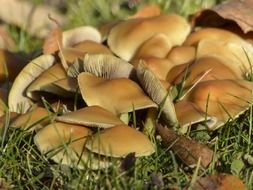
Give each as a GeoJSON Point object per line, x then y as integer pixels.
{"type": "Point", "coordinates": [33, 19]}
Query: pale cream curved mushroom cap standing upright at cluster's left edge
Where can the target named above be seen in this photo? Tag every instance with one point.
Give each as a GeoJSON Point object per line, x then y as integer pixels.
{"type": "Point", "coordinates": [17, 101]}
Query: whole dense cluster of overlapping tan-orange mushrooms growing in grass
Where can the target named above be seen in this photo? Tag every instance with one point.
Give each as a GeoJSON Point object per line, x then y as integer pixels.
{"type": "Point", "coordinates": [82, 100]}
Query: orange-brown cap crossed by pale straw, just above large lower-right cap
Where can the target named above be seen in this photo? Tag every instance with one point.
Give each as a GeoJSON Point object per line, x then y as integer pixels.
{"type": "Point", "coordinates": [204, 69]}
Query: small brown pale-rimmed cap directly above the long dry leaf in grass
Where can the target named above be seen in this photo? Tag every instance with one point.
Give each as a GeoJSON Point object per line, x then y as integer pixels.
{"type": "Point", "coordinates": [188, 114]}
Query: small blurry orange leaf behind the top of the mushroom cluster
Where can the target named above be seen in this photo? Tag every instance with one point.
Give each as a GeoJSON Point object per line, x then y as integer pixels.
{"type": "Point", "coordinates": [147, 11]}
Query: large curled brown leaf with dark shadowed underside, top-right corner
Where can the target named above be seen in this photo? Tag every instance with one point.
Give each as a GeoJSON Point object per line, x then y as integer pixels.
{"type": "Point", "coordinates": [229, 13]}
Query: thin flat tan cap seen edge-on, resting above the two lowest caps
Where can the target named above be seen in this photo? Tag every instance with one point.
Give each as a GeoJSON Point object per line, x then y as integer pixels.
{"type": "Point", "coordinates": [92, 116]}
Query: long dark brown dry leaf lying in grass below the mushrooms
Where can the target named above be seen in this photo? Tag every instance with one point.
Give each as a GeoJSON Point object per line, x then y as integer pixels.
{"type": "Point", "coordinates": [189, 151]}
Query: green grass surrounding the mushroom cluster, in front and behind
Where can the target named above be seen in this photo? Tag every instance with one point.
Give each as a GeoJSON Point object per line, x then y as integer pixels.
{"type": "Point", "coordinates": [22, 166]}
